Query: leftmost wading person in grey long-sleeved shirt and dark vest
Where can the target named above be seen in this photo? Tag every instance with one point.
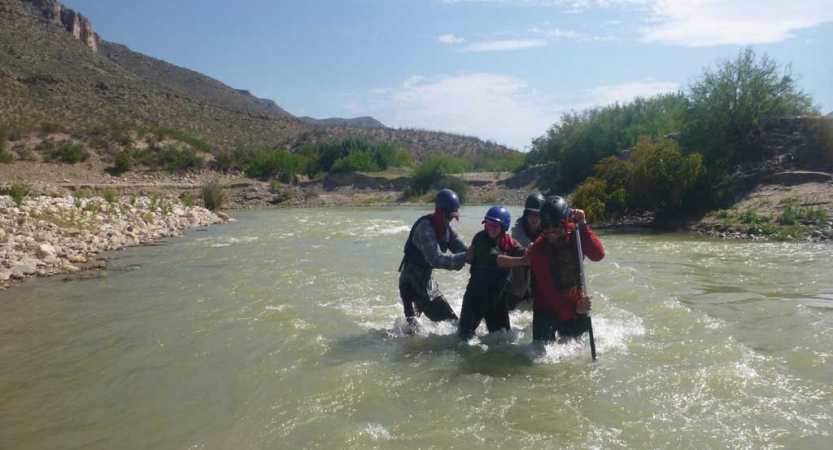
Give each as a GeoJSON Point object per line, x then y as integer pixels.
{"type": "Point", "coordinates": [431, 237]}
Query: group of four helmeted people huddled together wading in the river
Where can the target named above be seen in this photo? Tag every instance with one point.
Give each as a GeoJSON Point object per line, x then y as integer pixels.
{"type": "Point", "coordinates": [537, 261]}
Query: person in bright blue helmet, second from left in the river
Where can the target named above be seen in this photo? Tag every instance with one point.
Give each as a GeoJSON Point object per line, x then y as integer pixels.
{"type": "Point", "coordinates": [491, 255]}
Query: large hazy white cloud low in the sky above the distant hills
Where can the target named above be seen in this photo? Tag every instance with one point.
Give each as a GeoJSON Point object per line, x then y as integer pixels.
{"type": "Point", "coordinates": [501, 108]}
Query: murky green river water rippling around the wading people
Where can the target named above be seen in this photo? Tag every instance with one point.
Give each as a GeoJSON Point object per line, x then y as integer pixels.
{"type": "Point", "coordinates": [284, 331]}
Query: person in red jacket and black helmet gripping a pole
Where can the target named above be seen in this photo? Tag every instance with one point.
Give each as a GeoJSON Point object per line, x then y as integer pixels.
{"type": "Point", "coordinates": [559, 304]}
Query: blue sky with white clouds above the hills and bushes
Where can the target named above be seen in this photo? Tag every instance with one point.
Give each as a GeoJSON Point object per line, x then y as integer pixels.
{"type": "Point", "coordinates": [501, 70]}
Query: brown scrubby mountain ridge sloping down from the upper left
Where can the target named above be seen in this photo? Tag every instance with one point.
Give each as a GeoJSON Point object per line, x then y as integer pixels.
{"type": "Point", "coordinates": [55, 69]}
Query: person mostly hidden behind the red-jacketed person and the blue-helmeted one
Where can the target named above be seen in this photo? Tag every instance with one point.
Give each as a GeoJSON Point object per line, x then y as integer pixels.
{"type": "Point", "coordinates": [525, 231]}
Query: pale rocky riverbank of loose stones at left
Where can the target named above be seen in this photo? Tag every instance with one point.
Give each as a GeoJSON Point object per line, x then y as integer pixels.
{"type": "Point", "coordinates": [50, 235]}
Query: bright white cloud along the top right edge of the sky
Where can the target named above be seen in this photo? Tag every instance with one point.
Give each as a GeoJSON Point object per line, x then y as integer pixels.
{"type": "Point", "coordinates": [705, 23]}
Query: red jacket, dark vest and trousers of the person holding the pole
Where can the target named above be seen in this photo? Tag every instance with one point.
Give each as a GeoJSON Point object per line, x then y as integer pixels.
{"type": "Point", "coordinates": [557, 288]}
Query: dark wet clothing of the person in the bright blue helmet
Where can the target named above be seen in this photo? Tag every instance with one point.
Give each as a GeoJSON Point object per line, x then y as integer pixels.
{"type": "Point", "coordinates": [485, 293]}
